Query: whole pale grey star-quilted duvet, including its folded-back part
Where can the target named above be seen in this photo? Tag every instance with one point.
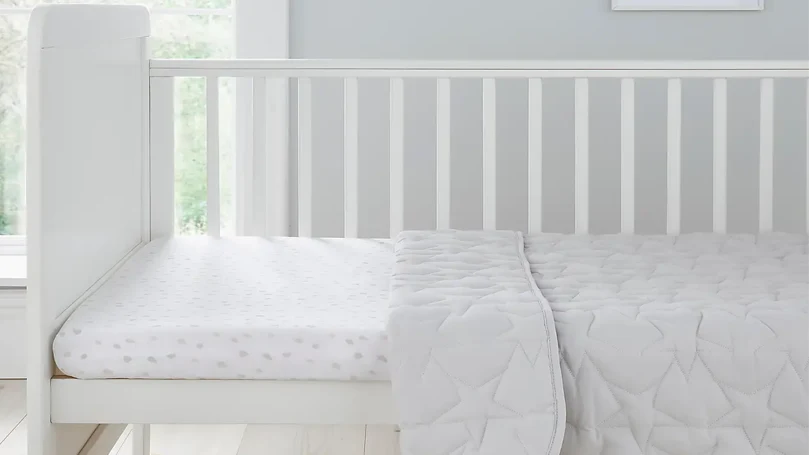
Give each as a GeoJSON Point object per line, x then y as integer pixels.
{"type": "Point", "coordinates": [695, 344]}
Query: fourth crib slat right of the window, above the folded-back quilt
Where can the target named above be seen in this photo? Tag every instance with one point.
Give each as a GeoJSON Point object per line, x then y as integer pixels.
{"type": "Point", "coordinates": [442, 164]}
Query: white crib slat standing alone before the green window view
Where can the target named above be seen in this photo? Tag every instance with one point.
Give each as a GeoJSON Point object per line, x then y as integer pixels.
{"type": "Point", "coordinates": [212, 112]}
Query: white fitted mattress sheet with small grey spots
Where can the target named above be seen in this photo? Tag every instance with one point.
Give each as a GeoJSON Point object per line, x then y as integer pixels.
{"type": "Point", "coordinates": [236, 308]}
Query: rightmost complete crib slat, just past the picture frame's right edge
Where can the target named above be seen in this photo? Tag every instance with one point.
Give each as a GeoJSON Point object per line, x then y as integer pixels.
{"type": "Point", "coordinates": [765, 168]}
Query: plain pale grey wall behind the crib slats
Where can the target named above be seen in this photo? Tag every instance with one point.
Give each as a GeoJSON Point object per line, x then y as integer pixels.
{"type": "Point", "coordinates": [553, 29]}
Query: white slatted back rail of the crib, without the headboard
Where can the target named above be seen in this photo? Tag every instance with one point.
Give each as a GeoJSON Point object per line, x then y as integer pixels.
{"type": "Point", "coordinates": [269, 136]}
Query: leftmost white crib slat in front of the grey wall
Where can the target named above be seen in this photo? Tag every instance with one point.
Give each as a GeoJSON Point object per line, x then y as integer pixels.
{"type": "Point", "coordinates": [304, 157]}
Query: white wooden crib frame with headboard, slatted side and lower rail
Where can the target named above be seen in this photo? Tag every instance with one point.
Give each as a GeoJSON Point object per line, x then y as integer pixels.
{"type": "Point", "coordinates": [100, 185]}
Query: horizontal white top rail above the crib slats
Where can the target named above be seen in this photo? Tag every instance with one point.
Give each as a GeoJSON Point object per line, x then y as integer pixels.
{"type": "Point", "coordinates": [479, 68]}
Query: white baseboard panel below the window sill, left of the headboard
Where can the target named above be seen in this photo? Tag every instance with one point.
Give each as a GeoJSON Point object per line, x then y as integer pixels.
{"type": "Point", "coordinates": [12, 333]}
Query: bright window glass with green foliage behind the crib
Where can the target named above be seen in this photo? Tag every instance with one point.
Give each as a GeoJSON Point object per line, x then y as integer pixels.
{"type": "Point", "coordinates": [180, 29]}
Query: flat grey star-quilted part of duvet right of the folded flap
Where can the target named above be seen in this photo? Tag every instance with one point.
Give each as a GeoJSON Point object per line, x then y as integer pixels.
{"type": "Point", "coordinates": [695, 344]}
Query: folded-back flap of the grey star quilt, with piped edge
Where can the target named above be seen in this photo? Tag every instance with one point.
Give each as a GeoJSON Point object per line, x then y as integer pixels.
{"type": "Point", "coordinates": [475, 367]}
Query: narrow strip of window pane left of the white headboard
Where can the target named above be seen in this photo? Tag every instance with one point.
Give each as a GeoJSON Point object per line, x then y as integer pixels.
{"type": "Point", "coordinates": [12, 136]}
